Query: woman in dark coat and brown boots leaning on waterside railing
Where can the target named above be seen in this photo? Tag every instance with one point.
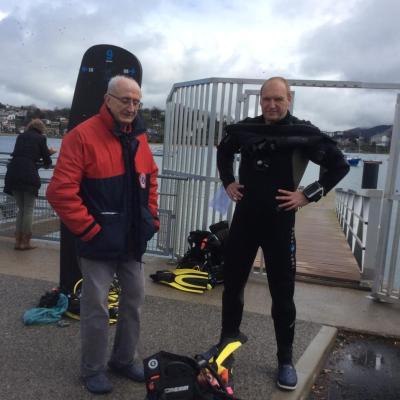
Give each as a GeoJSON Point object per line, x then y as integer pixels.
{"type": "Point", "coordinates": [22, 178]}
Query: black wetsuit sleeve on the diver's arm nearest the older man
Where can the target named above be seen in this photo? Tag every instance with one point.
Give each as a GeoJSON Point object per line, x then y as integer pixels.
{"type": "Point", "coordinates": [225, 156]}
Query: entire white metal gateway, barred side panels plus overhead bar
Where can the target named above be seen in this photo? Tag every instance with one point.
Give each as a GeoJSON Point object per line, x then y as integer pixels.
{"type": "Point", "coordinates": [196, 113]}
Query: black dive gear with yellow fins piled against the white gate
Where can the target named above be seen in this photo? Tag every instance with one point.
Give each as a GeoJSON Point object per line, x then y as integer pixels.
{"type": "Point", "coordinates": [201, 267]}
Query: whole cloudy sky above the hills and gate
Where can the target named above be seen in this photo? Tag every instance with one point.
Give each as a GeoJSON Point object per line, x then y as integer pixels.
{"type": "Point", "coordinates": [42, 43]}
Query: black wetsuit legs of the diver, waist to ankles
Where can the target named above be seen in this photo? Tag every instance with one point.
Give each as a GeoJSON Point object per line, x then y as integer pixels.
{"type": "Point", "coordinates": [273, 231]}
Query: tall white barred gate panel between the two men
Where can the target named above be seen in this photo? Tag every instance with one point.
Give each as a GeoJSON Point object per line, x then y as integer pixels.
{"type": "Point", "coordinates": [196, 113]}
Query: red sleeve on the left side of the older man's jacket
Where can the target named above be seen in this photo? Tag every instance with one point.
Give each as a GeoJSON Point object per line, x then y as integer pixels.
{"type": "Point", "coordinates": [63, 190]}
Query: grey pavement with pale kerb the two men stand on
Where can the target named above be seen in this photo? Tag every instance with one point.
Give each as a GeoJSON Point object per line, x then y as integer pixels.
{"type": "Point", "coordinates": [41, 362]}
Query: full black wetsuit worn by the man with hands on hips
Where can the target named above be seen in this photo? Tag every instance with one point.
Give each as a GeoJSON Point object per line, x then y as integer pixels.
{"type": "Point", "coordinates": [257, 221]}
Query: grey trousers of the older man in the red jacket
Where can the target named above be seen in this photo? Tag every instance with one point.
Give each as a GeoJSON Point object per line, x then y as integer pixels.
{"type": "Point", "coordinates": [94, 315]}
